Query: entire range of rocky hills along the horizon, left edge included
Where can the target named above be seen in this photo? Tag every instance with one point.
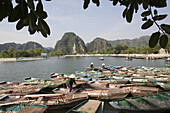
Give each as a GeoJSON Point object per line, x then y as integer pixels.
{"type": "Point", "coordinates": [73, 44]}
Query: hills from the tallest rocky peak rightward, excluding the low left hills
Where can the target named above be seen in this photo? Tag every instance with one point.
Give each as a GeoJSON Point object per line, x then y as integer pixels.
{"type": "Point", "coordinates": [73, 44]}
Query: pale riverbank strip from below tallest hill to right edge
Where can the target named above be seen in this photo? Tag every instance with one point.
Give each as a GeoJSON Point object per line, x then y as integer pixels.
{"type": "Point", "coordinates": [140, 56]}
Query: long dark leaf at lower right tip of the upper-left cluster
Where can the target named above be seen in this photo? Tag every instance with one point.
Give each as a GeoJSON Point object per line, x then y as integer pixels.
{"type": "Point", "coordinates": [44, 26]}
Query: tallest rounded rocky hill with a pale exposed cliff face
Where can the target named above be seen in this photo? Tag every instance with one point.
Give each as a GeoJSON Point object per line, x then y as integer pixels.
{"type": "Point", "coordinates": [70, 44]}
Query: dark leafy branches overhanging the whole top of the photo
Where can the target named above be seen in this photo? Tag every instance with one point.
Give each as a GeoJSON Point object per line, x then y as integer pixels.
{"type": "Point", "coordinates": [31, 14]}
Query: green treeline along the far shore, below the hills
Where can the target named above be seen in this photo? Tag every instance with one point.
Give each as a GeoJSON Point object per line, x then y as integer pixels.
{"type": "Point", "coordinates": [118, 49]}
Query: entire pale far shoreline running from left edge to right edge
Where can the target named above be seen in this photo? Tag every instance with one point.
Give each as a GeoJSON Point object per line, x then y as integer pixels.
{"type": "Point", "coordinates": [137, 56]}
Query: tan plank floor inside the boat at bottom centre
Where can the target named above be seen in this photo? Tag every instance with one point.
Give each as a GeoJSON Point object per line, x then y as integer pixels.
{"type": "Point", "coordinates": [90, 107]}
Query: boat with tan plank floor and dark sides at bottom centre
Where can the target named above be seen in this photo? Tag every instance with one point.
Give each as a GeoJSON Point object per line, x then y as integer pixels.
{"type": "Point", "coordinates": [88, 106]}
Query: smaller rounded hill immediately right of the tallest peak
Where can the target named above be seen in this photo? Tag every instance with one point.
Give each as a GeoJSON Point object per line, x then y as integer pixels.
{"type": "Point", "coordinates": [98, 44]}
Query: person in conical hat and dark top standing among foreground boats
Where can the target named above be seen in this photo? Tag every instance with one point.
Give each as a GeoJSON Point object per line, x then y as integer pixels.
{"type": "Point", "coordinates": [70, 81]}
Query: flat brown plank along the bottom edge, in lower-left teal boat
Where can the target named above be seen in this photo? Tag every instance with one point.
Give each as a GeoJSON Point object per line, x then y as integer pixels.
{"type": "Point", "coordinates": [29, 109]}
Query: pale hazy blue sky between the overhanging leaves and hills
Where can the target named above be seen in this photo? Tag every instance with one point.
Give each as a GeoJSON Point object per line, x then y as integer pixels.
{"type": "Point", "coordinates": [64, 16]}
